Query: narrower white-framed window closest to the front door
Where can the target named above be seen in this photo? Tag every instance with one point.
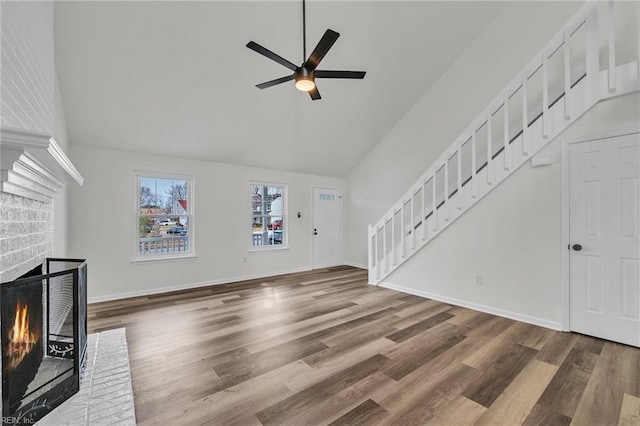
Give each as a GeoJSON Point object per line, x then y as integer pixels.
{"type": "Point", "coordinates": [268, 215]}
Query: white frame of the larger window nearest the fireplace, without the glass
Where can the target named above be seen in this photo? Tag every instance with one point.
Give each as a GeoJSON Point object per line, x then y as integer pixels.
{"type": "Point", "coordinates": [190, 214]}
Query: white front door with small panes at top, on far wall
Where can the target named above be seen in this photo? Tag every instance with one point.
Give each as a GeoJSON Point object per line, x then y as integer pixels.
{"type": "Point", "coordinates": [327, 227]}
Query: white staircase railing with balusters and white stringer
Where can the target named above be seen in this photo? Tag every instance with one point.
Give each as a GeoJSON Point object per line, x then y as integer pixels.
{"type": "Point", "coordinates": [562, 82]}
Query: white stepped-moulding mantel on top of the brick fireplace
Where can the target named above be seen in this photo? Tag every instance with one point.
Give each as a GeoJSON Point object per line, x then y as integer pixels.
{"type": "Point", "coordinates": [33, 165]}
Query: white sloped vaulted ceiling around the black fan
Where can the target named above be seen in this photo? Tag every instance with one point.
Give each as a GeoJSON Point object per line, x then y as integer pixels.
{"type": "Point", "coordinates": [175, 78]}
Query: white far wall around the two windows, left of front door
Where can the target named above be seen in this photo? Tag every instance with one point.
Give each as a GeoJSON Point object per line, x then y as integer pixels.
{"type": "Point", "coordinates": [102, 223]}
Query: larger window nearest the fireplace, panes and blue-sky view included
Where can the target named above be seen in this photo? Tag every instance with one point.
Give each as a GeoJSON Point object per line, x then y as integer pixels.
{"type": "Point", "coordinates": [165, 215]}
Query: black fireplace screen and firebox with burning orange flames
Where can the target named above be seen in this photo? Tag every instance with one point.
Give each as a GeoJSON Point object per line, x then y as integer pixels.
{"type": "Point", "coordinates": [43, 337]}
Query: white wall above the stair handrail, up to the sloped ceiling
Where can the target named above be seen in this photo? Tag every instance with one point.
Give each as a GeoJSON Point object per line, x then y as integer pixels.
{"type": "Point", "coordinates": [445, 110]}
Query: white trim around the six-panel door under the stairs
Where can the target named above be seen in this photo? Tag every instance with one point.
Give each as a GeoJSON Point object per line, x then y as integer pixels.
{"type": "Point", "coordinates": [565, 296]}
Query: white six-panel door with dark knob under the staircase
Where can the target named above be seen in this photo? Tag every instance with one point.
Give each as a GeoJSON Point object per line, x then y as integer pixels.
{"type": "Point", "coordinates": [604, 234]}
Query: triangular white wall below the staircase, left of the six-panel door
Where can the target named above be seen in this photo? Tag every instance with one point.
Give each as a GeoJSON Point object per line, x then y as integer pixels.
{"type": "Point", "coordinates": [510, 238]}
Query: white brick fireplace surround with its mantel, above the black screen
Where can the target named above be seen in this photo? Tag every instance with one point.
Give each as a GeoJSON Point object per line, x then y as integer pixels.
{"type": "Point", "coordinates": [33, 169]}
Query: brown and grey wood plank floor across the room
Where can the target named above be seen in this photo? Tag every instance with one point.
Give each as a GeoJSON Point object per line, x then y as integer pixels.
{"type": "Point", "coordinates": [322, 347]}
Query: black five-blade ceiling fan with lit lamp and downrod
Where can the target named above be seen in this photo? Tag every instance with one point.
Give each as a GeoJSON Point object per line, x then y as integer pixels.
{"type": "Point", "coordinates": [306, 74]}
